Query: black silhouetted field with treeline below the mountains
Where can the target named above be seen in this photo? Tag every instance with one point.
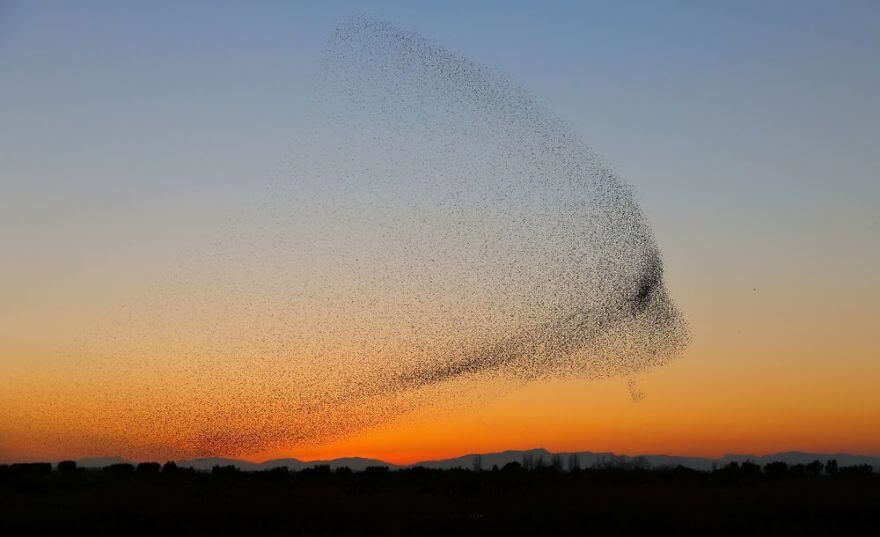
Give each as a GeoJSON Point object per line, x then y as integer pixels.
{"type": "Point", "coordinates": [737, 499]}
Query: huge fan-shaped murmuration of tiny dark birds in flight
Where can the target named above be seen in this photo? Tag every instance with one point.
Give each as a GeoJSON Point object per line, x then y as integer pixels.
{"type": "Point", "coordinates": [437, 233]}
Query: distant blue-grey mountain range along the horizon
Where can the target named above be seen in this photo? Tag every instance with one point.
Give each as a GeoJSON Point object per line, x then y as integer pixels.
{"type": "Point", "coordinates": [586, 459]}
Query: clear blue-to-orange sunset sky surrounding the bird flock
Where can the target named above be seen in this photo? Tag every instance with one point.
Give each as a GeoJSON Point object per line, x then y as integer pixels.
{"type": "Point", "coordinates": [132, 132]}
